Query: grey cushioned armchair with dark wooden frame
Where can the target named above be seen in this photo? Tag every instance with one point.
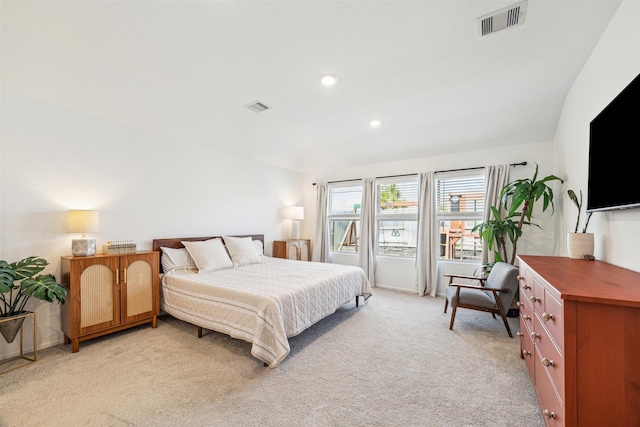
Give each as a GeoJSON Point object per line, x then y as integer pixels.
{"type": "Point", "coordinates": [492, 294]}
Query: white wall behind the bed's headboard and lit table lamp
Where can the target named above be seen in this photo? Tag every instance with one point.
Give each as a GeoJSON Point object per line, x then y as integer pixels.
{"type": "Point", "coordinates": [144, 185]}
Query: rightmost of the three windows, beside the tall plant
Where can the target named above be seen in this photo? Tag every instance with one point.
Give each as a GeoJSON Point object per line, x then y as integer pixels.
{"type": "Point", "coordinates": [460, 203]}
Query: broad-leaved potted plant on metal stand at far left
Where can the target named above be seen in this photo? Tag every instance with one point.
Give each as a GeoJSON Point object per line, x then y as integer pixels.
{"type": "Point", "coordinates": [18, 283]}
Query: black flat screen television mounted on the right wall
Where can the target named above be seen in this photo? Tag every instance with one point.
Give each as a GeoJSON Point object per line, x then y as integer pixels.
{"type": "Point", "coordinates": [614, 165]}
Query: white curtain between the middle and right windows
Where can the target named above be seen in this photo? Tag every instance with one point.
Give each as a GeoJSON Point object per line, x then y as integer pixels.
{"type": "Point", "coordinates": [427, 253]}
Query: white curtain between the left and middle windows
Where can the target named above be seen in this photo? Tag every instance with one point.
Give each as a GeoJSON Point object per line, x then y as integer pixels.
{"type": "Point", "coordinates": [367, 252]}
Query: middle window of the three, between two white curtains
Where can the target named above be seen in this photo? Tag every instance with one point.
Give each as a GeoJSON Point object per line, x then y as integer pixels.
{"type": "Point", "coordinates": [397, 216]}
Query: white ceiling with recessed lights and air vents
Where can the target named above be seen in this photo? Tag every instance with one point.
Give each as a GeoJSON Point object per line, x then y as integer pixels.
{"type": "Point", "coordinates": [185, 69]}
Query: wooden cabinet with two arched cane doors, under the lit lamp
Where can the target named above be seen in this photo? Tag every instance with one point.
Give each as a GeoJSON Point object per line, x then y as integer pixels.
{"type": "Point", "coordinates": [108, 293]}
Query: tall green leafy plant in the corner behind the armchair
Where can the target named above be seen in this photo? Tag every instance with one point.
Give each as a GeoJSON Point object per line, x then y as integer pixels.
{"type": "Point", "coordinates": [519, 197]}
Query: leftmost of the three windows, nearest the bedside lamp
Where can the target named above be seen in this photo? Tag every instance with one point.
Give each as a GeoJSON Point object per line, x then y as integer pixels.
{"type": "Point", "coordinates": [344, 217]}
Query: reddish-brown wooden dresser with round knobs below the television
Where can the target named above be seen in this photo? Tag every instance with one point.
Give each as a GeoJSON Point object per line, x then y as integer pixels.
{"type": "Point", "coordinates": [580, 338]}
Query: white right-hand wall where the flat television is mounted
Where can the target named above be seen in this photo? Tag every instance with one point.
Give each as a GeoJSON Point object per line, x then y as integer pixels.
{"type": "Point", "coordinates": [613, 64]}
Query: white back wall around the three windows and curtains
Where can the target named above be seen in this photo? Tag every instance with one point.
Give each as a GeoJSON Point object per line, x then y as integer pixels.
{"type": "Point", "coordinates": [400, 274]}
